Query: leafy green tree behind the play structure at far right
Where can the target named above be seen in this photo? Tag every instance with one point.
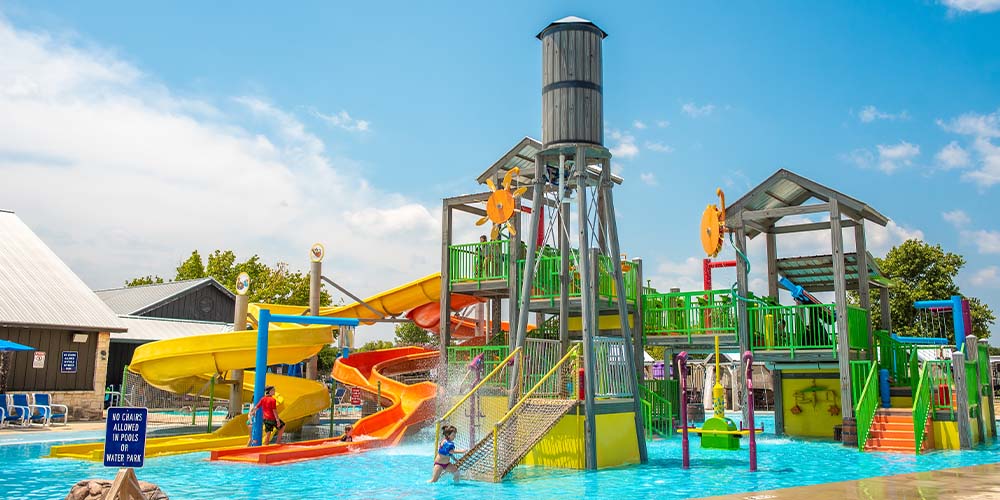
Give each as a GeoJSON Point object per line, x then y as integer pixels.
{"type": "Point", "coordinates": [920, 271]}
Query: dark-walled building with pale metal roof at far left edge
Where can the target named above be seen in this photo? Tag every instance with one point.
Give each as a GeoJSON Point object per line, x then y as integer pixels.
{"type": "Point", "coordinates": [45, 305]}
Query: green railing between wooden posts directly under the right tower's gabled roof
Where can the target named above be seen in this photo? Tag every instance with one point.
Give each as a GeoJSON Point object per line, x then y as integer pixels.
{"type": "Point", "coordinates": [808, 326]}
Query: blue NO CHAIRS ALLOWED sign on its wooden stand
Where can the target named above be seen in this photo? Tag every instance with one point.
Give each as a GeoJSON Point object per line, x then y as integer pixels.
{"type": "Point", "coordinates": [125, 447]}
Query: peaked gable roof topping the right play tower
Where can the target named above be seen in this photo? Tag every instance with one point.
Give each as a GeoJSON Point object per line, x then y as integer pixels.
{"type": "Point", "coordinates": [785, 189]}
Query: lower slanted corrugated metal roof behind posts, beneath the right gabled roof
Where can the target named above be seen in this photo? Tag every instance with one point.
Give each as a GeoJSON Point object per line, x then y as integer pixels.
{"type": "Point", "coordinates": [815, 272]}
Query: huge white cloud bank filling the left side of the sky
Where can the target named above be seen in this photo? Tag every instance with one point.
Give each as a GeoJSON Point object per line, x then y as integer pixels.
{"type": "Point", "coordinates": [122, 177]}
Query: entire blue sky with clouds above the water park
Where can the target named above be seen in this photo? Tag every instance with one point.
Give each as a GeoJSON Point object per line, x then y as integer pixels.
{"type": "Point", "coordinates": [134, 133]}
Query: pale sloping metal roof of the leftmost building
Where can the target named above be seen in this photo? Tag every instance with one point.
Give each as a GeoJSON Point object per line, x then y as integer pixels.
{"type": "Point", "coordinates": [38, 289]}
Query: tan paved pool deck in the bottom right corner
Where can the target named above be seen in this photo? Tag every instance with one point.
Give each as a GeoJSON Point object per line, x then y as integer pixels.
{"type": "Point", "coordinates": [968, 483]}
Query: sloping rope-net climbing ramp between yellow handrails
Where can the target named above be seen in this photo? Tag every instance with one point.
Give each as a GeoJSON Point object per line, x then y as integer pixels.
{"type": "Point", "coordinates": [498, 452]}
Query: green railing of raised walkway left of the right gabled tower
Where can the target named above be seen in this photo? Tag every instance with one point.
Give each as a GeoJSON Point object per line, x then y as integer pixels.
{"type": "Point", "coordinates": [689, 313]}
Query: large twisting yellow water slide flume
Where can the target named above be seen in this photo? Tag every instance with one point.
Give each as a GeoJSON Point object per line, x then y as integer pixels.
{"type": "Point", "coordinates": [186, 364]}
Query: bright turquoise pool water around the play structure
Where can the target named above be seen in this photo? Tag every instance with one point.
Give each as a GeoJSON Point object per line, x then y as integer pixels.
{"type": "Point", "coordinates": [402, 472]}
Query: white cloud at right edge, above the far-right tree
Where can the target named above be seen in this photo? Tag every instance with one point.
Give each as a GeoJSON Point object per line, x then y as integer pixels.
{"type": "Point", "coordinates": [982, 128]}
